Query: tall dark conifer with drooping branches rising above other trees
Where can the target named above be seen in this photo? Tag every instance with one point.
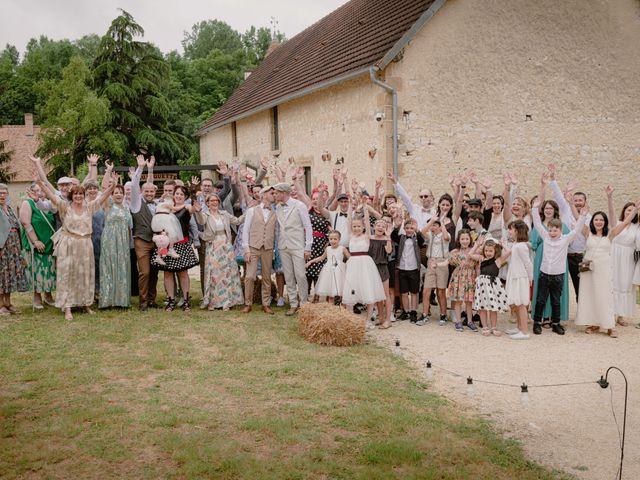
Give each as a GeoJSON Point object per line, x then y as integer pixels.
{"type": "Point", "coordinates": [131, 75]}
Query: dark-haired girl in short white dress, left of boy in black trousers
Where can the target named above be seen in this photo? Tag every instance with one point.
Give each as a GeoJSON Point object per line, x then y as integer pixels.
{"type": "Point", "coordinates": [519, 278]}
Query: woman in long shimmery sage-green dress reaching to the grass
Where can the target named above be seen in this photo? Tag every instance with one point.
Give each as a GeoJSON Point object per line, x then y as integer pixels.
{"type": "Point", "coordinates": [115, 266]}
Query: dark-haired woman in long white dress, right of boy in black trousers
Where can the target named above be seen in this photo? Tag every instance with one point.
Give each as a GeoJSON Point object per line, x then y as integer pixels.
{"type": "Point", "coordinates": [595, 301]}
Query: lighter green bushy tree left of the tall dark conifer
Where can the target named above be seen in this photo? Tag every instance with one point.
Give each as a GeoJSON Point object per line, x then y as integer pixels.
{"type": "Point", "coordinates": [76, 122]}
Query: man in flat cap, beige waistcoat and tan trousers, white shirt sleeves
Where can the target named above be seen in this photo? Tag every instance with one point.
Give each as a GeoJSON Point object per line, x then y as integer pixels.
{"type": "Point", "coordinates": [258, 236]}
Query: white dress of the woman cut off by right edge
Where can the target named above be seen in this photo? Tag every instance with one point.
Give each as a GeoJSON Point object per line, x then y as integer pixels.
{"type": "Point", "coordinates": [623, 266]}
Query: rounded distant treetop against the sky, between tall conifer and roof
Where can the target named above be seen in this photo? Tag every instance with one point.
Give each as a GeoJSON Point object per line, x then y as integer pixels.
{"type": "Point", "coordinates": [209, 35]}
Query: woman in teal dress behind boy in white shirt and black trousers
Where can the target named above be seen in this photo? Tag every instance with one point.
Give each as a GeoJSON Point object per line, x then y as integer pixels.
{"type": "Point", "coordinates": [548, 210]}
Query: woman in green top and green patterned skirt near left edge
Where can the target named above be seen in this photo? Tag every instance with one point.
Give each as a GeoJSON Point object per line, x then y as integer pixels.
{"type": "Point", "coordinates": [38, 228]}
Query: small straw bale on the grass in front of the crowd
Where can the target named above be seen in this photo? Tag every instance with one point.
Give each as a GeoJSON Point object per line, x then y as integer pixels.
{"type": "Point", "coordinates": [330, 325]}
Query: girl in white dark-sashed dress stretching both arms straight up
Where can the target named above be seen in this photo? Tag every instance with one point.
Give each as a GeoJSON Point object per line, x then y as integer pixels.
{"type": "Point", "coordinates": [362, 282]}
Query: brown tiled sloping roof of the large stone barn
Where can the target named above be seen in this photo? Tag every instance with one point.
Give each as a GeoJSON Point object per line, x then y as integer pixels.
{"type": "Point", "coordinates": [345, 43]}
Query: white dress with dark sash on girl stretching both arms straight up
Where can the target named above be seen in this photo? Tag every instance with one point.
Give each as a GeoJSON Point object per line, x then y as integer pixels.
{"type": "Point", "coordinates": [362, 282]}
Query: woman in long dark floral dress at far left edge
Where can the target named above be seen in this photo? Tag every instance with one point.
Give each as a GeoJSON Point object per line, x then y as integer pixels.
{"type": "Point", "coordinates": [12, 274]}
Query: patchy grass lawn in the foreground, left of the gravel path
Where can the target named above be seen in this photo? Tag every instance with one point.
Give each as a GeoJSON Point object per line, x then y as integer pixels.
{"type": "Point", "coordinates": [213, 395]}
